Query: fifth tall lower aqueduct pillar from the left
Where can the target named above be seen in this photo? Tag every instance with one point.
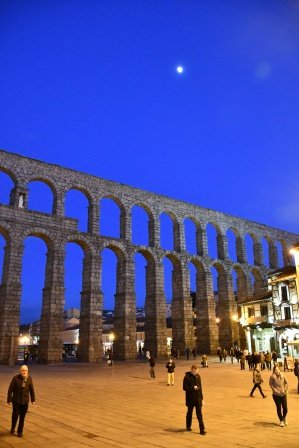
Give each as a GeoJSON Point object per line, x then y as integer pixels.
{"type": "Point", "coordinates": [155, 310]}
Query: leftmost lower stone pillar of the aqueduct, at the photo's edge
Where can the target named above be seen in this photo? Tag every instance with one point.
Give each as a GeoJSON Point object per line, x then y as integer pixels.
{"type": "Point", "coordinates": [10, 299]}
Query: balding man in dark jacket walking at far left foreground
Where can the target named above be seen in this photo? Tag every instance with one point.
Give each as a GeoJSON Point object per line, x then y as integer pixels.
{"type": "Point", "coordinates": [18, 393]}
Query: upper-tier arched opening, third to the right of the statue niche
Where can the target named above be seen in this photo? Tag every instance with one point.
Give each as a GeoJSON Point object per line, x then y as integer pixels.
{"type": "Point", "coordinates": [109, 218]}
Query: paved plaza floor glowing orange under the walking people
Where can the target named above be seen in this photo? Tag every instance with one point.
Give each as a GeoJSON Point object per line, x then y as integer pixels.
{"type": "Point", "coordinates": [84, 405]}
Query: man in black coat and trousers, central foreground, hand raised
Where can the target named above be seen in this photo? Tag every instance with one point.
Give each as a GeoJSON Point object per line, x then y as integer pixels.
{"type": "Point", "coordinates": [194, 398]}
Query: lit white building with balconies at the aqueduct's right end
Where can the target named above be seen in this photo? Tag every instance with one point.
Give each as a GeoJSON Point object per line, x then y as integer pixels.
{"type": "Point", "coordinates": [271, 319]}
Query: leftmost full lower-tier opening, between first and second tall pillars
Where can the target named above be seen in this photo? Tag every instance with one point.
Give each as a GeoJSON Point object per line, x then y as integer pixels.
{"type": "Point", "coordinates": [33, 279]}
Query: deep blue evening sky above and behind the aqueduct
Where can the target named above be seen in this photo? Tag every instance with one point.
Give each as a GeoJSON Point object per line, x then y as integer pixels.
{"type": "Point", "coordinates": [92, 85]}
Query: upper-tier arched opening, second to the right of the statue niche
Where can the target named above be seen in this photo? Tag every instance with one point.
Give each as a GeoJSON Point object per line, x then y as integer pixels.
{"type": "Point", "coordinates": [76, 206]}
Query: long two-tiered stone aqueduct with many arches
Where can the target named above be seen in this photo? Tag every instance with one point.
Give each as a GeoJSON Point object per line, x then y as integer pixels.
{"type": "Point", "coordinates": [17, 223]}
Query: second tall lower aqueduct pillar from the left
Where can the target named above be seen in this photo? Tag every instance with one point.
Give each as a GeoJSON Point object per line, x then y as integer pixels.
{"type": "Point", "coordinates": [51, 325]}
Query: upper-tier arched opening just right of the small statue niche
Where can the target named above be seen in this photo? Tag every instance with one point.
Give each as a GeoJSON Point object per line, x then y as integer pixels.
{"type": "Point", "coordinates": [40, 197]}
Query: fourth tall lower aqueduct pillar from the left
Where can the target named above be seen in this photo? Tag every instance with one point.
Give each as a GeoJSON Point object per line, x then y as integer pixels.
{"type": "Point", "coordinates": [124, 346]}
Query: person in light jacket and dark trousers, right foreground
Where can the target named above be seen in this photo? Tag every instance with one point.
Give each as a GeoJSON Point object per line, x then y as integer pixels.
{"type": "Point", "coordinates": [279, 386]}
